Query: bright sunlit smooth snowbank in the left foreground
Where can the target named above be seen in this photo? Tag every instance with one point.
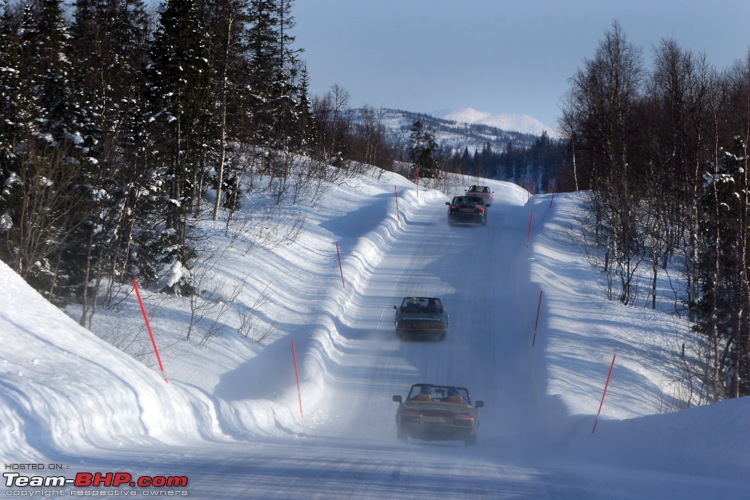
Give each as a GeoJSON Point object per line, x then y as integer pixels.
{"type": "Point", "coordinates": [66, 391]}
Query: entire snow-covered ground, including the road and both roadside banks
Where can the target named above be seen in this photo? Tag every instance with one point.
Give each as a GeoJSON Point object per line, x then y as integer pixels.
{"type": "Point", "coordinates": [227, 419]}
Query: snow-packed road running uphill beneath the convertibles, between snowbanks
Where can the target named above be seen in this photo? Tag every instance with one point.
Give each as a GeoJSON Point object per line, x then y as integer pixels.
{"type": "Point", "coordinates": [481, 274]}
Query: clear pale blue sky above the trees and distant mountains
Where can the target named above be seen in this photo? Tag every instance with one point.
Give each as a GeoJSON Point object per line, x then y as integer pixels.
{"type": "Point", "coordinates": [497, 56]}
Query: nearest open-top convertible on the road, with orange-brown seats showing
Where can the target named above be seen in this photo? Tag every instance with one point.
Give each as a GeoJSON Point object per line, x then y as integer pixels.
{"type": "Point", "coordinates": [437, 412]}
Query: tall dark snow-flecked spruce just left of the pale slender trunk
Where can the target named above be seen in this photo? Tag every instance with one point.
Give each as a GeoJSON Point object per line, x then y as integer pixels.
{"type": "Point", "coordinates": [179, 91]}
